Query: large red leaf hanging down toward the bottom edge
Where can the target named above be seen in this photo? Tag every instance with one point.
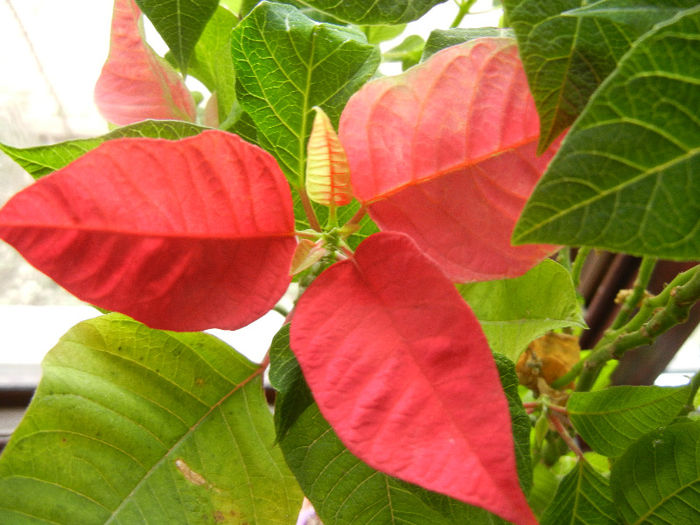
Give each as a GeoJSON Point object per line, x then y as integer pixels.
{"type": "Point", "coordinates": [402, 371]}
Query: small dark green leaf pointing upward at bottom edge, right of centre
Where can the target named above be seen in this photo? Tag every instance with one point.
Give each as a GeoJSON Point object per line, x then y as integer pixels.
{"type": "Point", "coordinates": [583, 497]}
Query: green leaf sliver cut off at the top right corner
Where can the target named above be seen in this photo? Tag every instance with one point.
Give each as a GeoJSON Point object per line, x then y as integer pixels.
{"type": "Point", "coordinates": [639, 15]}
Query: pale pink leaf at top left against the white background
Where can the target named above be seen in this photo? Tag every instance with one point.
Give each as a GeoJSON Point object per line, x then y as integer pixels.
{"type": "Point", "coordinates": [135, 84]}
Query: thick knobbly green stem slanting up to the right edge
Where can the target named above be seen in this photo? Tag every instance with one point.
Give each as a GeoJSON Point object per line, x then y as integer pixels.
{"type": "Point", "coordinates": [655, 316]}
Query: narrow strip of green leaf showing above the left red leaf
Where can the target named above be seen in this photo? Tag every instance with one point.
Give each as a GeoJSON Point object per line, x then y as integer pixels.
{"type": "Point", "coordinates": [42, 160]}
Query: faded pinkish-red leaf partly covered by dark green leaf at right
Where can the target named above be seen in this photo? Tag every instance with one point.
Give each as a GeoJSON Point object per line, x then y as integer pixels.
{"type": "Point", "coordinates": [446, 153]}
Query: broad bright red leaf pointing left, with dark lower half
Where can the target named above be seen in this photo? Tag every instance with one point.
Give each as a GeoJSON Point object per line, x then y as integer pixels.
{"type": "Point", "coordinates": [181, 235]}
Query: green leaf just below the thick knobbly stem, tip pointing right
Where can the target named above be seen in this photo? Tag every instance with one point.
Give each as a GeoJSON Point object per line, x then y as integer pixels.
{"type": "Point", "coordinates": [611, 420]}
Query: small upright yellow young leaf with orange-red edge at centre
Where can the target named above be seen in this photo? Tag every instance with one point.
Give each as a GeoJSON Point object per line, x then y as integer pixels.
{"type": "Point", "coordinates": [327, 169]}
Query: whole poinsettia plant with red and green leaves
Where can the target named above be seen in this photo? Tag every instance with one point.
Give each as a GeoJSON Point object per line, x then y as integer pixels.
{"type": "Point", "coordinates": [427, 244]}
